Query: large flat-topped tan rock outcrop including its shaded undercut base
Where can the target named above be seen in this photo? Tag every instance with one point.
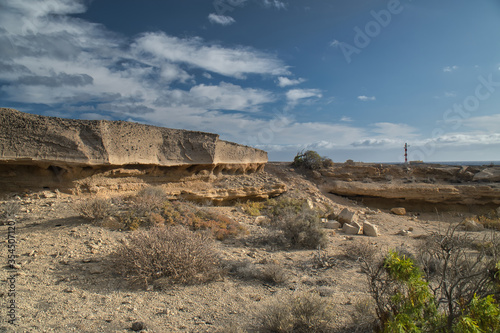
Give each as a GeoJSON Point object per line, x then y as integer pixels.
{"type": "Point", "coordinates": [90, 156]}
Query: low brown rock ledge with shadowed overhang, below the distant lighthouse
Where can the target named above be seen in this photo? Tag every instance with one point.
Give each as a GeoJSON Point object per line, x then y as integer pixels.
{"type": "Point", "coordinates": [419, 187]}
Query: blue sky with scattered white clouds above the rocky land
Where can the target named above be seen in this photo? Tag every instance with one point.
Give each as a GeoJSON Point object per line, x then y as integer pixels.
{"type": "Point", "coordinates": [350, 79]}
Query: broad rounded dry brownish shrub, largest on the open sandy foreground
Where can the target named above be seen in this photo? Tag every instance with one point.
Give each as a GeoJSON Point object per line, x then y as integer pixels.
{"type": "Point", "coordinates": [173, 252]}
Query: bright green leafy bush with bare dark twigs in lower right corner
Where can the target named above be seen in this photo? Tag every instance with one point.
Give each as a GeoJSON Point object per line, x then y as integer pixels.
{"type": "Point", "coordinates": [457, 282]}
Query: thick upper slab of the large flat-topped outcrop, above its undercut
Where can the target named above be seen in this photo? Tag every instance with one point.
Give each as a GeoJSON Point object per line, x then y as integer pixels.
{"type": "Point", "coordinates": [27, 138]}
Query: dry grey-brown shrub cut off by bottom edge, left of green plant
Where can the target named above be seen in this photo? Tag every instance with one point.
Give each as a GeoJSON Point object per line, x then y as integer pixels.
{"type": "Point", "coordinates": [301, 312]}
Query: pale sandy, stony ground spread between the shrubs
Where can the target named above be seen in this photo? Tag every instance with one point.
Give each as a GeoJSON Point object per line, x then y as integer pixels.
{"type": "Point", "coordinates": [65, 281]}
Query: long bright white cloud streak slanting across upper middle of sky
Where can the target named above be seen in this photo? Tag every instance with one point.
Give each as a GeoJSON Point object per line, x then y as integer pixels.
{"type": "Point", "coordinates": [234, 62]}
